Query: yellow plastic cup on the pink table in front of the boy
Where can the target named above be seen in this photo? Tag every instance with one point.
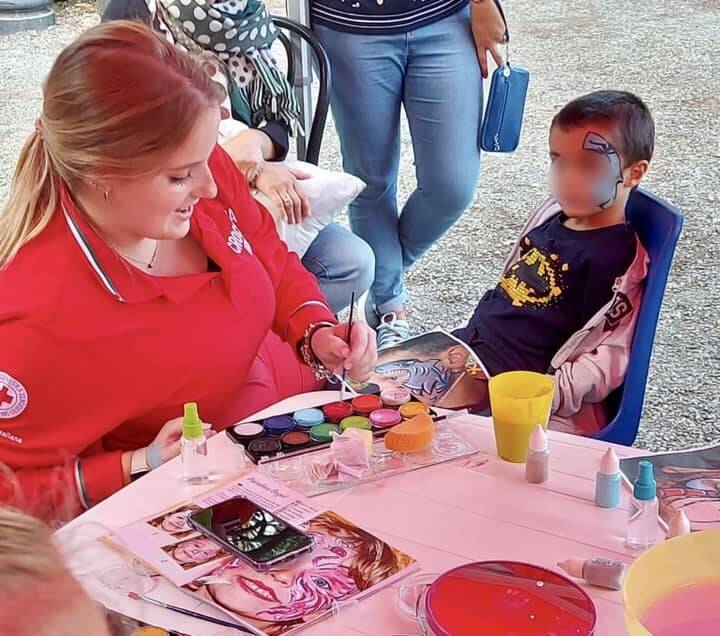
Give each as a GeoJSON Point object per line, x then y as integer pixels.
{"type": "Point", "coordinates": [519, 400]}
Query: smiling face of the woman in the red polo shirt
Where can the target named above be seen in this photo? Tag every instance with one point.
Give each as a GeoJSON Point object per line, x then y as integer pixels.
{"type": "Point", "coordinates": [160, 205]}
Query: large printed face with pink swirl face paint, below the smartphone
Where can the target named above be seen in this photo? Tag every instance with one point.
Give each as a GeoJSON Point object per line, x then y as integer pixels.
{"type": "Point", "coordinates": [289, 592]}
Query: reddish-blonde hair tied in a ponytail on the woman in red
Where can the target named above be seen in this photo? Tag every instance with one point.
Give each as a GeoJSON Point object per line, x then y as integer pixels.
{"type": "Point", "coordinates": [115, 100]}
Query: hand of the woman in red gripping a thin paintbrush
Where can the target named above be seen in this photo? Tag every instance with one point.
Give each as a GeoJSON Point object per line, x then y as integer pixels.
{"type": "Point", "coordinates": [359, 358]}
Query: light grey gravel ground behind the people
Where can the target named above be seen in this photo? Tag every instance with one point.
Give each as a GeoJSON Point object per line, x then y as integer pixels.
{"type": "Point", "coordinates": [662, 51]}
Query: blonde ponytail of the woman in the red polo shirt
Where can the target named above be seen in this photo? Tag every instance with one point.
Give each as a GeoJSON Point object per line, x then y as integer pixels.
{"type": "Point", "coordinates": [34, 195]}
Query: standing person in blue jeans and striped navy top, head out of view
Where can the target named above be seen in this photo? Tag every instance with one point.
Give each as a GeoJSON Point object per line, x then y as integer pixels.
{"type": "Point", "coordinates": [423, 57]}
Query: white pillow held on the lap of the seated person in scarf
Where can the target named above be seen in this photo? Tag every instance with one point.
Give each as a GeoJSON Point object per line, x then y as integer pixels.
{"type": "Point", "coordinates": [328, 193]}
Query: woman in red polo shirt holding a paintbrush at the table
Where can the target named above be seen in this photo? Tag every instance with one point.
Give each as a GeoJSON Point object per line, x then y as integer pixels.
{"type": "Point", "coordinates": [137, 273]}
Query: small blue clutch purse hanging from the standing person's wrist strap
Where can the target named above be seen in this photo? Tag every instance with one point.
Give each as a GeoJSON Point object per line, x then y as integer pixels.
{"type": "Point", "coordinates": [502, 120]}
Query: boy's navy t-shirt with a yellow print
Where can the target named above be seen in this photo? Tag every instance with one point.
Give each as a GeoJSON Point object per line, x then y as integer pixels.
{"type": "Point", "coordinates": [561, 279]}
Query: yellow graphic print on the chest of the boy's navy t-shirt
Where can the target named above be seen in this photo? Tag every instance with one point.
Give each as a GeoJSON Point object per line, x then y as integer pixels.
{"type": "Point", "coordinates": [536, 280]}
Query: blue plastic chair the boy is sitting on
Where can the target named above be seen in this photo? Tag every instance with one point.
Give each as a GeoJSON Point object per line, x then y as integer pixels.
{"type": "Point", "coordinates": [658, 224]}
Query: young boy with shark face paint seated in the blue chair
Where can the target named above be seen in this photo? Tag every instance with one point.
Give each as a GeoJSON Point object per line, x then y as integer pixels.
{"type": "Point", "coordinates": [565, 303]}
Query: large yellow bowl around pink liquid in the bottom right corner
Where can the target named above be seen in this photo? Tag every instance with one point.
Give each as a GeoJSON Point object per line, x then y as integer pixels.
{"type": "Point", "coordinates": [687, 560]}
